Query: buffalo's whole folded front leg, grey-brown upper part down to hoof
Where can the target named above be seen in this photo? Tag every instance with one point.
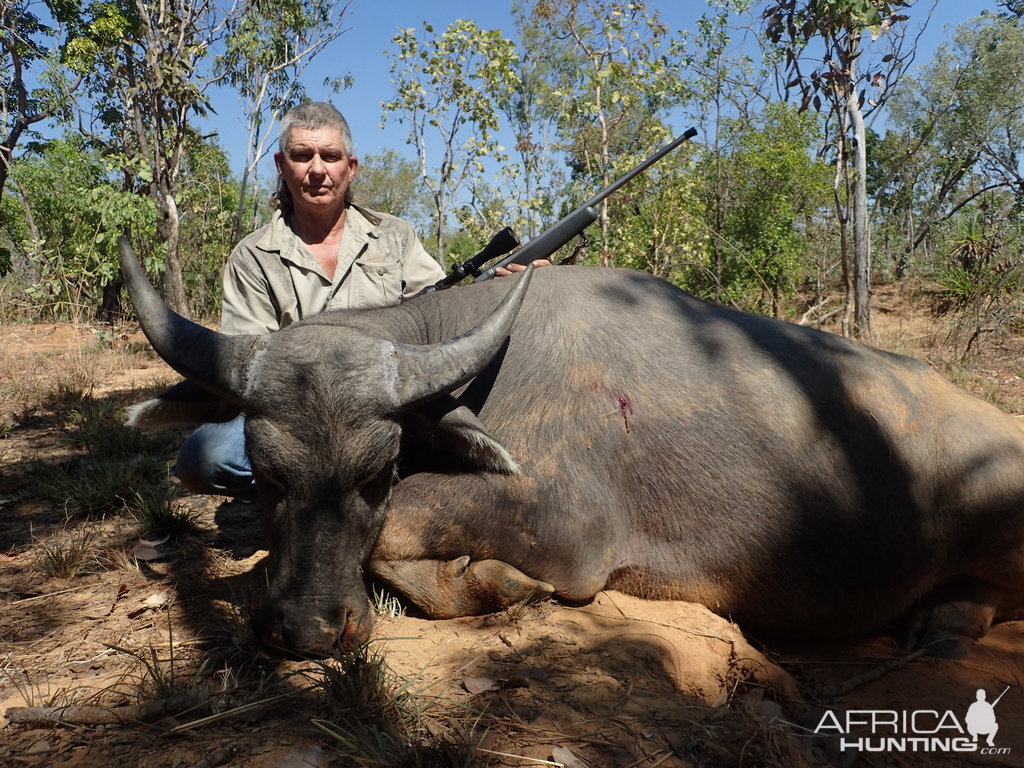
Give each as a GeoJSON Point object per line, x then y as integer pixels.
{"type": "Point", "coordinates": [473, 544]}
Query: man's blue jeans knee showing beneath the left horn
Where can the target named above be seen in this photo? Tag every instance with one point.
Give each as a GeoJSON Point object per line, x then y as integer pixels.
{"type": "Point", "coordinates": [212, 460]}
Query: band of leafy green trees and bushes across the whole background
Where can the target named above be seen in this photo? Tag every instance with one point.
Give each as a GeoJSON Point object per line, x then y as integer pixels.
{"type": "Point", "coordinates": [587, 91]}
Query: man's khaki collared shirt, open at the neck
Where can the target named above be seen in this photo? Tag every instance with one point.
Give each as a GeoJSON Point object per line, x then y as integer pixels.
{"type": "Point", "coordinates": [272, 280]}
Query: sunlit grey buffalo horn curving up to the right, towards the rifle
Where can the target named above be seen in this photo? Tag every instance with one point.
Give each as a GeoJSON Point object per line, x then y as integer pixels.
{"type": "Point", "coordinates": [430, 371]}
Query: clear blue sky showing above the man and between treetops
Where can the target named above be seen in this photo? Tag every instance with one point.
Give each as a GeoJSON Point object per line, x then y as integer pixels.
{"type": "Point", "coordinates": [370, 25]}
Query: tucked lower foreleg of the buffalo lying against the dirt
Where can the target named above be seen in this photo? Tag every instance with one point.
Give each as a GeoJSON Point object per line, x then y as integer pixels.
{"type": "Point", "coordinates": [448, 589]}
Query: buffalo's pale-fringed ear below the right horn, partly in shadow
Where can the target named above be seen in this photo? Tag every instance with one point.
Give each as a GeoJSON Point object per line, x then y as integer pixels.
{"type": "Point", "coordinates": [444, 436]}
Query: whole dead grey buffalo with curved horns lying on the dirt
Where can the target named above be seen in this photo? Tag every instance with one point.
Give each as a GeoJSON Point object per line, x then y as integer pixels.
{"type": "Point", "coordinates": [606, 430]}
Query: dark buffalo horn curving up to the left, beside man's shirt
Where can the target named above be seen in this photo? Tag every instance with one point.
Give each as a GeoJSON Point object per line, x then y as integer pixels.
{"type": "Point", "coordinates": [214, 361]}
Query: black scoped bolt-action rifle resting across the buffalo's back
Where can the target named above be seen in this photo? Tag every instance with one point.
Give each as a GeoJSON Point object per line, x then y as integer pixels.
{"type": "Point", "coordinates": [550, 241]}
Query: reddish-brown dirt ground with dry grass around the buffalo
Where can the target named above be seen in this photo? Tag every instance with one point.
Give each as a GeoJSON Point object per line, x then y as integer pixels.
{"type": "Point", "coordinates": [146, 658]}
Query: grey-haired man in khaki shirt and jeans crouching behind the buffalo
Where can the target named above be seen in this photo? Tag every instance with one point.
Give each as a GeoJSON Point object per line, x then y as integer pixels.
{"type": "Point", "coordinates": [320, 251]}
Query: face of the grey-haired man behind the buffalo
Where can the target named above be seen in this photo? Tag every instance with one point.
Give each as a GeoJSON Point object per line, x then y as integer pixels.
{"type": "Point", "coordinates": [316, 169]}
